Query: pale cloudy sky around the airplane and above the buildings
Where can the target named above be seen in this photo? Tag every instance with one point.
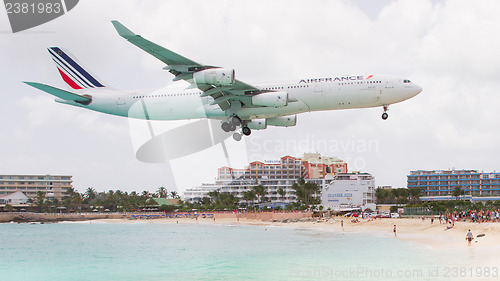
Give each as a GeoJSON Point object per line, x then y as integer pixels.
{"type": "Point", "coordinates": [449, 48]}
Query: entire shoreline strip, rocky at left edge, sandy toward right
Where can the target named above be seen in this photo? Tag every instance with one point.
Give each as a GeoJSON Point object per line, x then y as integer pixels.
{"type": "Point", "coordinates": [413, 230]}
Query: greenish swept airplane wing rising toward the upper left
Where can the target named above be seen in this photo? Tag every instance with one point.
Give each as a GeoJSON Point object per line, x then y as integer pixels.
{"type": "Point", "coordinates": [183, 69]}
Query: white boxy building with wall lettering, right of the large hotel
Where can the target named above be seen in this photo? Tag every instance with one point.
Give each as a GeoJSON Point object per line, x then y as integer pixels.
{"type": "Point", "coordinates": [350, 191]}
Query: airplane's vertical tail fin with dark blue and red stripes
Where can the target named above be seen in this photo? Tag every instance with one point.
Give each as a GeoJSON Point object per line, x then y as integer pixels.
{"type": "Point", "coordinates": [71, 71]}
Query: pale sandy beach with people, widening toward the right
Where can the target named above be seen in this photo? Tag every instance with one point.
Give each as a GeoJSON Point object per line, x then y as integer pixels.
{"type": "Point", "coordinates": [433, 235]}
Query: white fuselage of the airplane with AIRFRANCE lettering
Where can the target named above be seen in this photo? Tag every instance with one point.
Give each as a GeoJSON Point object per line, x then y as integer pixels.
{"type": "Point", "coordinates": [317, 94]}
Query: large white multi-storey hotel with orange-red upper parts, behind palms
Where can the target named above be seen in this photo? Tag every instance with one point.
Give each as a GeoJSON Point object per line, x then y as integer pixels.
{"type": "Point", "coordinates": [273, 175]}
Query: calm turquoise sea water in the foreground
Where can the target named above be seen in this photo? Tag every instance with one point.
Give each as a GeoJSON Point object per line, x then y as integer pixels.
{"type": "Point", "coordinates": [146, 251]}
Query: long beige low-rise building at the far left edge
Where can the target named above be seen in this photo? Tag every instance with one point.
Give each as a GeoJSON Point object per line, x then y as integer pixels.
{"type": "Point", "coordinates": [53, 186]}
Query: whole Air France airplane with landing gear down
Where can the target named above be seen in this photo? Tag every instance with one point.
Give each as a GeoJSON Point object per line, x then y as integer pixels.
{"type": "Point", "coordinates": [215, 93]}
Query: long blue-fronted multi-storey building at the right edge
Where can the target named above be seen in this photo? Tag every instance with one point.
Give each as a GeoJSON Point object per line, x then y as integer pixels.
{"type": "Point", "coordinates": [439, 184]}
